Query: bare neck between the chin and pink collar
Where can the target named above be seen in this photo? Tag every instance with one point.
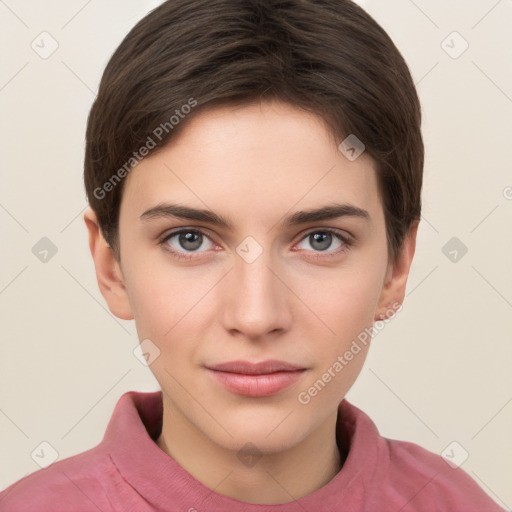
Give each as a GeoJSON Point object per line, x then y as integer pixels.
{"type": "Point", "coordinates": [270, 478]}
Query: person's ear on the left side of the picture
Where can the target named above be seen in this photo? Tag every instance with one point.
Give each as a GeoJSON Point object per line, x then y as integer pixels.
{"type": "Point", "coordinates": [108, 270]}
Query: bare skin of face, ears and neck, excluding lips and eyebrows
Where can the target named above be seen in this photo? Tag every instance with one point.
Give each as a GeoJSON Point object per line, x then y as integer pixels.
{"type": "Point", "coordinates": [253, 165]}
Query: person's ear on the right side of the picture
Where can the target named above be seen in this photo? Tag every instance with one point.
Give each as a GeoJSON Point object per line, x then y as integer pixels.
{"type": "Point", "coordinates": [393, 291]}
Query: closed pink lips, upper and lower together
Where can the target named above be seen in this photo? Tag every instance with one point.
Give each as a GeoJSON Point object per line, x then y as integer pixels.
{"type": "Point", "coordinates": [261, 379]}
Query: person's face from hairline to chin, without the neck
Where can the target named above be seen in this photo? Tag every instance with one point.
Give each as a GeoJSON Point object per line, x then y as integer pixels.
{"type": "Point", "coordinates": [264, 284]}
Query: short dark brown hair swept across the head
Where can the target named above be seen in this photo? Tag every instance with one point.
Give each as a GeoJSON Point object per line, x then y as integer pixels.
{"type": "Point", "coordinates": [328, 57]}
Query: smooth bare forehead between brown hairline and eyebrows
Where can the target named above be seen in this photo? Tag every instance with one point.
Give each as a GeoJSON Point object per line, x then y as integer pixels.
{"type": "Point", "coordinates": [261, 158]}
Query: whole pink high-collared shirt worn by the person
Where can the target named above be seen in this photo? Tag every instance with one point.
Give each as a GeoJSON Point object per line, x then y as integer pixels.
{"type": "Point", "coordinates": [128, 472]}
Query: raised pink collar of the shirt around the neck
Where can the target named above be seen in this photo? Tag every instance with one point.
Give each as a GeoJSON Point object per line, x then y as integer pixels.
{"type": "Point", "coordinates": [159, 478]}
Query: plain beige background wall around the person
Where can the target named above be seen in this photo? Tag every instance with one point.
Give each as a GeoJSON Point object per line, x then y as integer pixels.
{"type": "Point", "coordinates": [438, 373]}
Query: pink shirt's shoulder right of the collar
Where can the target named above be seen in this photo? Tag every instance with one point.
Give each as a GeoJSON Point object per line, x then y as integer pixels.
{"type": "Point", "coordinates": [428, 480]}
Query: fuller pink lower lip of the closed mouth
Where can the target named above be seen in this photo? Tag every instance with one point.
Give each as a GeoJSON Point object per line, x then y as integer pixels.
{"type": "Point", "coordinates": [257, 385]}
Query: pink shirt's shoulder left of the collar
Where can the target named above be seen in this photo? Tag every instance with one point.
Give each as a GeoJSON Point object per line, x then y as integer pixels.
{"type": "Point", "coordinates": [74, 483]}
